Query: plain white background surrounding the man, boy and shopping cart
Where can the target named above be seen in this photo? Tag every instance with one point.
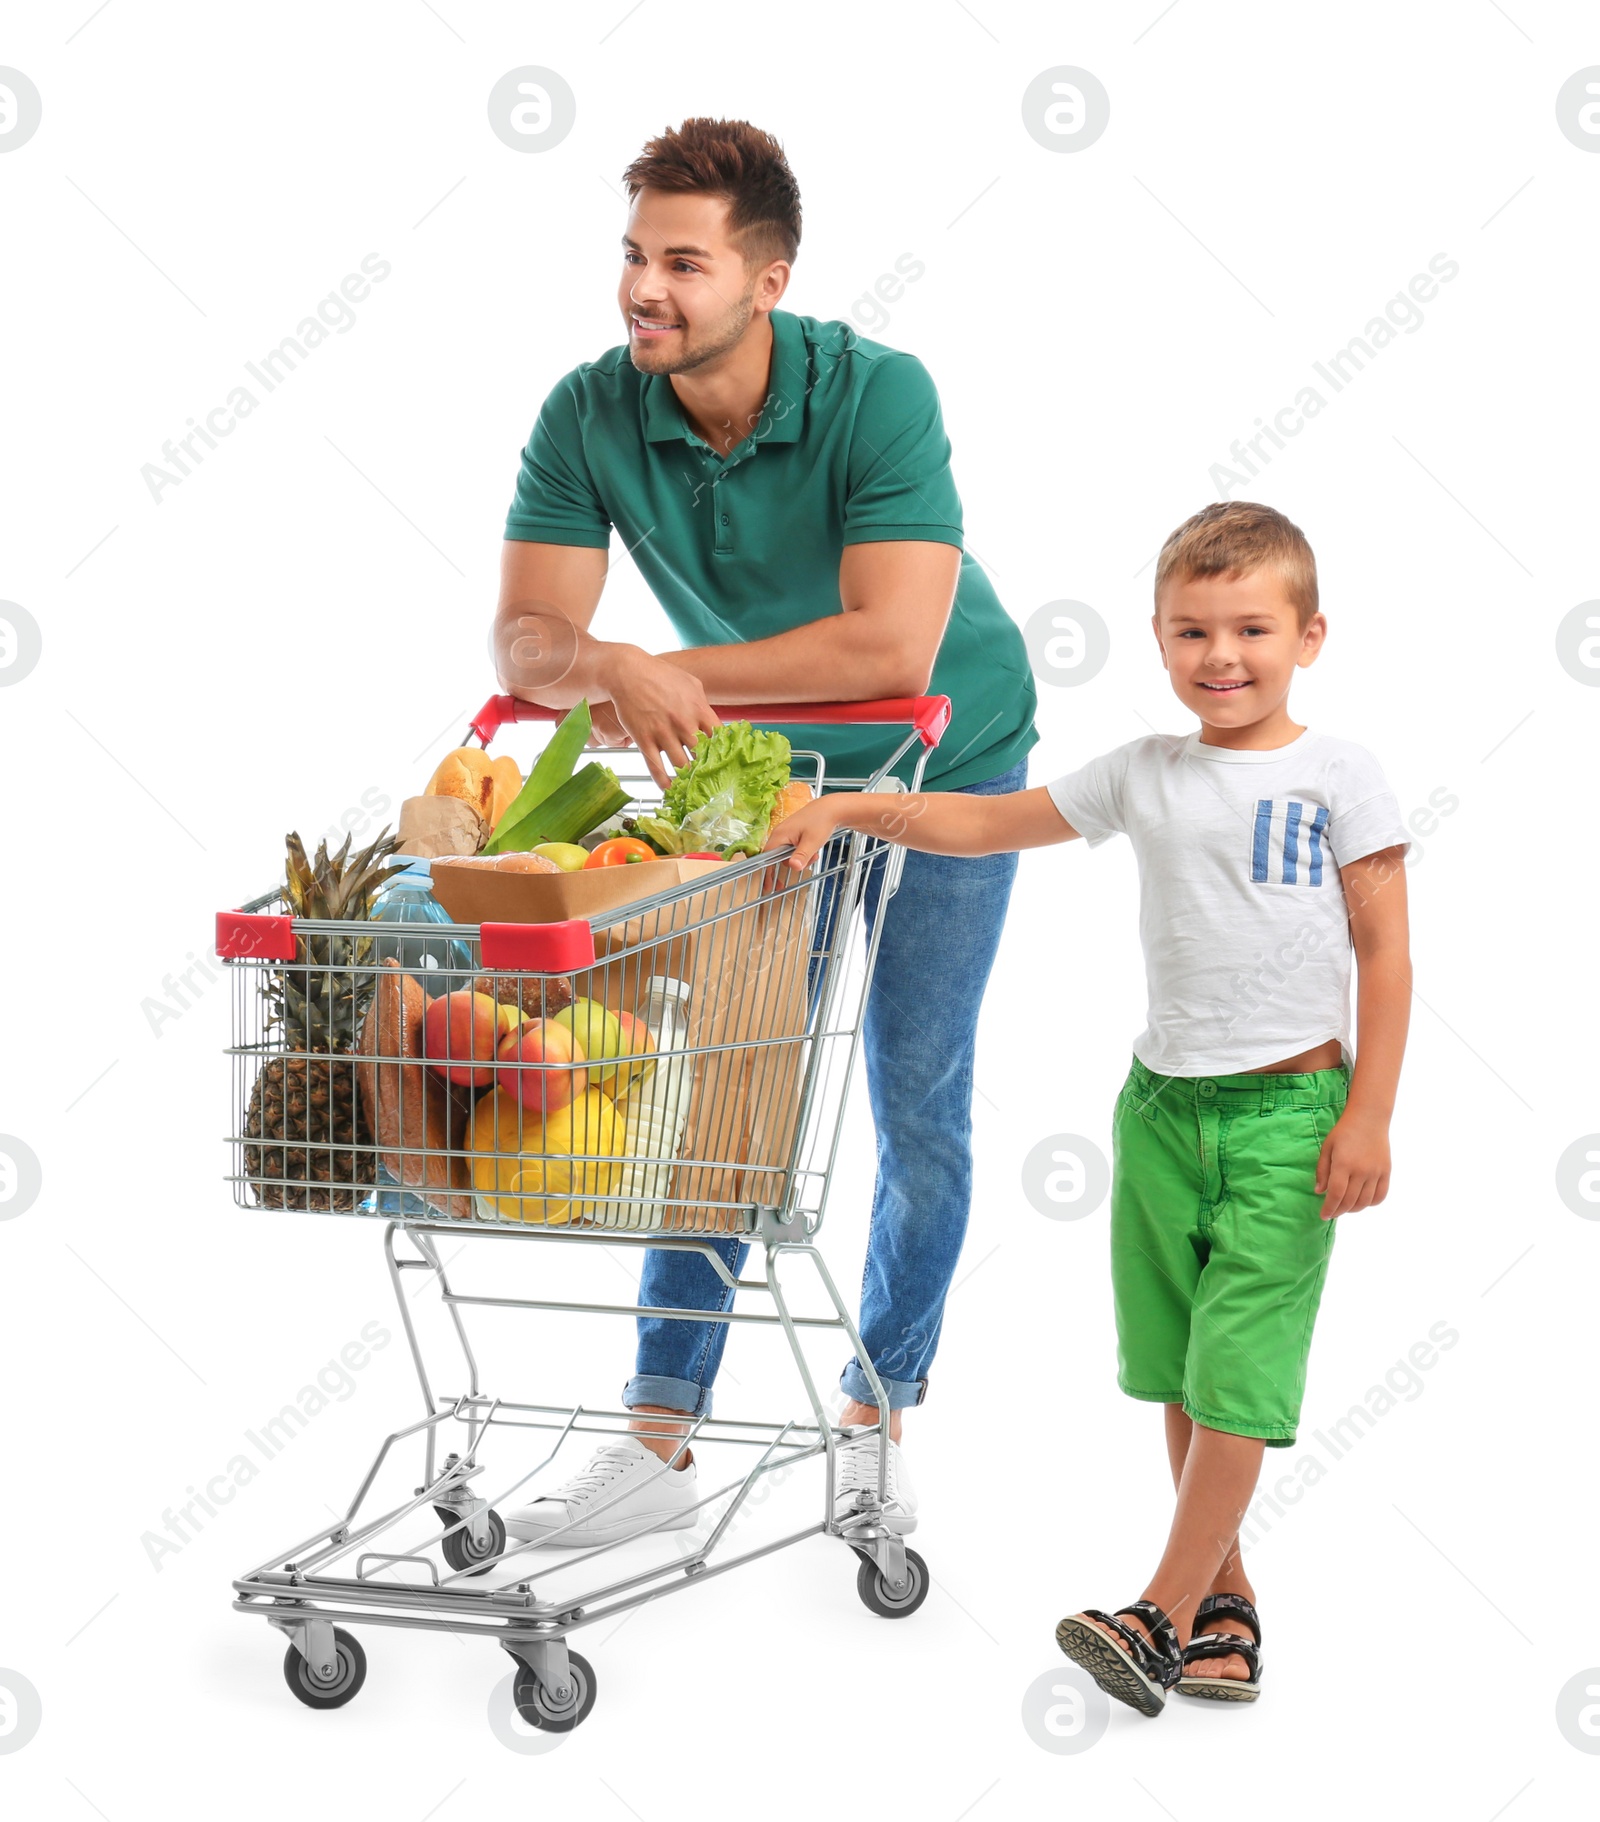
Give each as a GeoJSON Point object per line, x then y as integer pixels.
{"type": "Point", "coordinates": [303, 620]}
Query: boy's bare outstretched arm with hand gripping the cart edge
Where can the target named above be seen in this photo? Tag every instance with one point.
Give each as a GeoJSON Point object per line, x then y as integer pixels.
{"type": "Point", "coordinates": [938, 823]}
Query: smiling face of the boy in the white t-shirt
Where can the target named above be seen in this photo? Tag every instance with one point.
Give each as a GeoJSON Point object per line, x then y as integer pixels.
{"type": "Point", "coordinates": [1233, 646]}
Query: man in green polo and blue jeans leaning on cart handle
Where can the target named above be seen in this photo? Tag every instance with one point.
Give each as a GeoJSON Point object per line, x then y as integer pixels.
{"type": "Point", "coordinates": [785, 489]}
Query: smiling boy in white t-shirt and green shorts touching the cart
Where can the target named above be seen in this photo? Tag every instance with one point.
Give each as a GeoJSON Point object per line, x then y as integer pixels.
{"type": "Point", "coordinates": [1246, 1127]}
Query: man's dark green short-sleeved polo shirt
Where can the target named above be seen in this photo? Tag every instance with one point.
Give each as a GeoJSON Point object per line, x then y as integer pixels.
{"type": "Point", "coordinates": [850, 451]}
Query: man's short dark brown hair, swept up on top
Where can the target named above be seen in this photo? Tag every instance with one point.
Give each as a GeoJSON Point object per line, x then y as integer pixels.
{"type": "Point", "coordinates": [739, 163]}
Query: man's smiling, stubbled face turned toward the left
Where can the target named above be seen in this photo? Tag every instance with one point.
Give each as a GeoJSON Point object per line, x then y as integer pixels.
{"type": "Point", "coordinates": [686, 292]}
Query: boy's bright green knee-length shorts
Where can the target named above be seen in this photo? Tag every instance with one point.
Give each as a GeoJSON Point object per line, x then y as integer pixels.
{"type": "Point", "coordinates": [1218, 1244]}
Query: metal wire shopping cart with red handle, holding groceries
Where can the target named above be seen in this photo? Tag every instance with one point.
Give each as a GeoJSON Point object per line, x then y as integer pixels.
{"type": "Point", "coordinates": [775, 972]}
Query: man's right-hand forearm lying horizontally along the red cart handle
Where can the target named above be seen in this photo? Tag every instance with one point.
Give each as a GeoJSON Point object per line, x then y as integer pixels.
{"type": "Point", "coordinates": [841, 659]}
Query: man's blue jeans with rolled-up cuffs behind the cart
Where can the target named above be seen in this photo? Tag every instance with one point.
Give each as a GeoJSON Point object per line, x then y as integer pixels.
{"type": "Point", "coordinates": [941, 934]}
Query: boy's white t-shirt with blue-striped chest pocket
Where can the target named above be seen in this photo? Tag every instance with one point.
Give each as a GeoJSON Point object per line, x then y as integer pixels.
{"type": "Point", "coordinates": [1242, 910]}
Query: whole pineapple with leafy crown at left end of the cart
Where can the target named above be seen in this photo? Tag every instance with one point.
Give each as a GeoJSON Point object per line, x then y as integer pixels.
{"type": "Point", "coordinates": [318, 1016]}
